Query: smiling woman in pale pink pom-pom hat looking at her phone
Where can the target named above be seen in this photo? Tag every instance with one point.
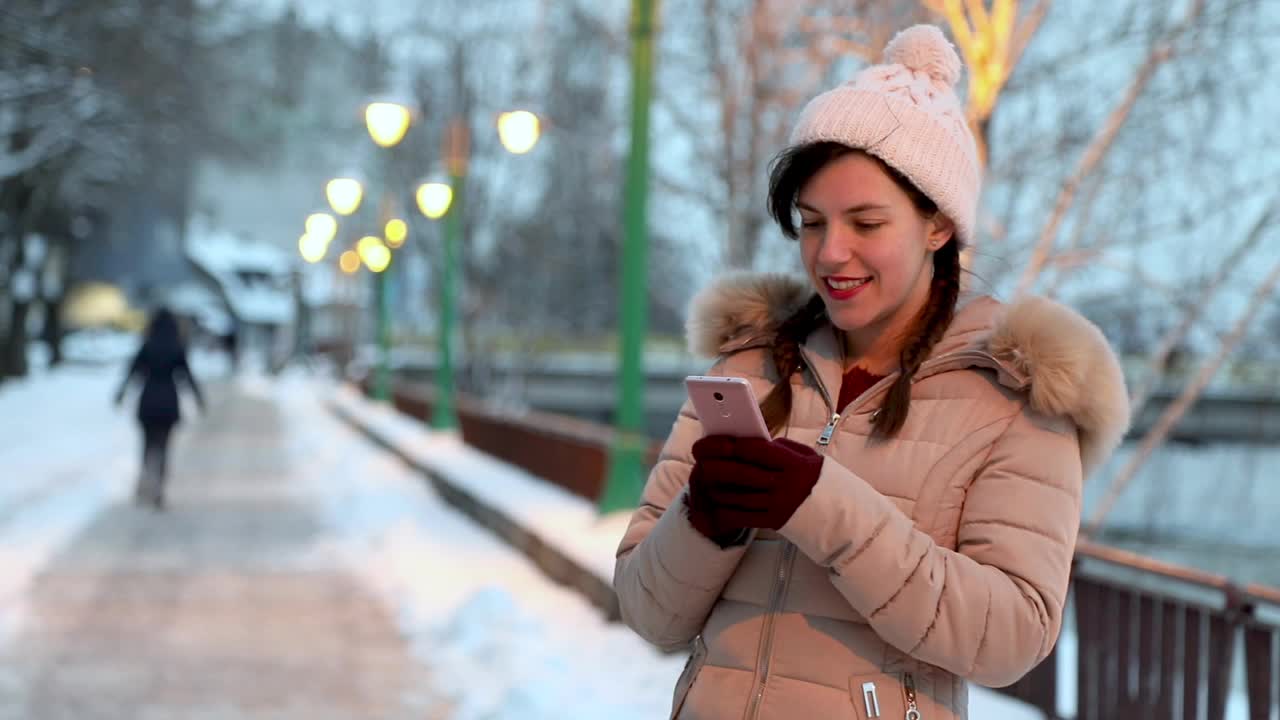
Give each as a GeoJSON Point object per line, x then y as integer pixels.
{"type": "Point", "coordinates": [911, 527]}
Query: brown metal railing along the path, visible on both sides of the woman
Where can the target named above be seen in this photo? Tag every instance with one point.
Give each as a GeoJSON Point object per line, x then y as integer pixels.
{"type": "Point", "coordinates": [1154, 641]}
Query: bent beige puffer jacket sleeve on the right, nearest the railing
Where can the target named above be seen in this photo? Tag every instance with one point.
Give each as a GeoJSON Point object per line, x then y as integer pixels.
{"type": "Point", "coordinates": [990, 610]}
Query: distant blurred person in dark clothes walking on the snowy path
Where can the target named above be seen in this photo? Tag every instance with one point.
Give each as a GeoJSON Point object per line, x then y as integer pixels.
{"type": "Point", "coordinates": [159, 363]}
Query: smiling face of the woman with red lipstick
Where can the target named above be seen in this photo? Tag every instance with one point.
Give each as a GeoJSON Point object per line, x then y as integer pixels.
{"type": "Point", "coordinates": [867, 250]}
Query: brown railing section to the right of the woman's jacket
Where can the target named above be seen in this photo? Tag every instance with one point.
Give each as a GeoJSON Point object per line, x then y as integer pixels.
{"type": "Point", "coordinates": [1158, 641]}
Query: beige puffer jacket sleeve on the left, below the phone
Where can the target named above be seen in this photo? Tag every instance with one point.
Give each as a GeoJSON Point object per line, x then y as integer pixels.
{"type": "Point", "coordinates": [668, 575]}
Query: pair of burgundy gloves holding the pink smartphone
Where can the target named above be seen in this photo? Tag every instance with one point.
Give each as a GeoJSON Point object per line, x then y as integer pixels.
{"type": "Point", "coordinates": [749, 484]}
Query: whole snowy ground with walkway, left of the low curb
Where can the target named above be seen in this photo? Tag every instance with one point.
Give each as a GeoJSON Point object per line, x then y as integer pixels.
{"type": "Point", "coordinates": [299, 567]}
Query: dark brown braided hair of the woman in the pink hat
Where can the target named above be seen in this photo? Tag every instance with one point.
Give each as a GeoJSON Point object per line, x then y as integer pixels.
{"type": "Point", "coordinates": [789, 174]}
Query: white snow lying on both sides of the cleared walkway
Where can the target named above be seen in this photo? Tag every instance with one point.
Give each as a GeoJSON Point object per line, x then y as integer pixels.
{"type": "Point", "coordinates": [501, 640]}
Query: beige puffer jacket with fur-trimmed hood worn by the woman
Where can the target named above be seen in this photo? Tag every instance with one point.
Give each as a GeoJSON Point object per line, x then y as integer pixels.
{"type": "Point", "coordinates": [917, 564]}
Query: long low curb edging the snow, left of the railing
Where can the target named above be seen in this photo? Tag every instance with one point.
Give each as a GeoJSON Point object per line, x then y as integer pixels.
{"type": "Point", "coordinates": [555, 564]}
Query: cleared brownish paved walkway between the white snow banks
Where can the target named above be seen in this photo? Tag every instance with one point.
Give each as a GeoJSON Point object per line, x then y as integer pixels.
{"type": "Point", "coordinates": [217, 609]}
